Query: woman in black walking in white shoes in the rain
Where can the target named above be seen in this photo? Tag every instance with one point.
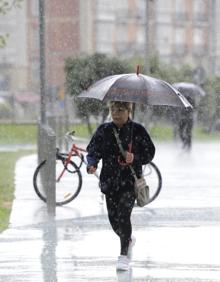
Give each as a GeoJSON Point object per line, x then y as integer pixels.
{"type": "Point", "coordinates": [116, 180]}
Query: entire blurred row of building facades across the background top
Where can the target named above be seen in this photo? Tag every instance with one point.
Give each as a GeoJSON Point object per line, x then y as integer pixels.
{"type": "Point", "coordinates": [177, 31]}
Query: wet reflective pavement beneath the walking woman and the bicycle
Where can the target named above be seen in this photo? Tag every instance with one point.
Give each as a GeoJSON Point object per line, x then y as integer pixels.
{"type": "Point", "coordinates": [177, 235]}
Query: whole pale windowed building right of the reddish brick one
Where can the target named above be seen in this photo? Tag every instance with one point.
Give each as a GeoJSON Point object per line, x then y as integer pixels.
{"type": "Point", "coordinates": [177, 31]}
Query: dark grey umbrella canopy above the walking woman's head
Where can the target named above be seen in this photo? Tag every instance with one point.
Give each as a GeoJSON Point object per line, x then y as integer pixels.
{"type": "Point", "coordinates": [135, 88]}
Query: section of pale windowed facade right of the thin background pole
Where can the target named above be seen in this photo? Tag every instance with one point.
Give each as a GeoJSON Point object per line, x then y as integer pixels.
{"type": "Point", "coordinates": [186, 32]}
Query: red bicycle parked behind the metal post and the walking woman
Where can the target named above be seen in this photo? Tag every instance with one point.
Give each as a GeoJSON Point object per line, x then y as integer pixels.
{"type": "Point", "coordinates": [69, 177]}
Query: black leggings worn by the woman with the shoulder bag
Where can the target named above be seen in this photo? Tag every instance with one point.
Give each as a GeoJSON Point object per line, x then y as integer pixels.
{"type": "Point", "coordinates": [119, 207]}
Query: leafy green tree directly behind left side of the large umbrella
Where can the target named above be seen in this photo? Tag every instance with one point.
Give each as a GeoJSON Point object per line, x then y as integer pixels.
{"type": "Point", "coordinates": [81, 72]}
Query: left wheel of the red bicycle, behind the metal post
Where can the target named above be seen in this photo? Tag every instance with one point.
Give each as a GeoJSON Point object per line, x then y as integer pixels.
{"type": "Point", "coordinates": [67, 188]}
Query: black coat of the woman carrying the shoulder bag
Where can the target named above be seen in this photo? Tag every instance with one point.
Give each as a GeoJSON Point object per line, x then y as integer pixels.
{"type": "Point", "coordinates": [103, 145]}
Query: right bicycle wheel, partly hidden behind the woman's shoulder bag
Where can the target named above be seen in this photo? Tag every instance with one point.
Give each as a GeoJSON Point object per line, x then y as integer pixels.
{"type": "Point", "coordinates": [153, 178]}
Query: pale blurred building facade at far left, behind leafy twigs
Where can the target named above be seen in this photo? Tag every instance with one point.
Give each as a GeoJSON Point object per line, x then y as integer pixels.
{"type": "Point", "coordinates": [14, 56]}
